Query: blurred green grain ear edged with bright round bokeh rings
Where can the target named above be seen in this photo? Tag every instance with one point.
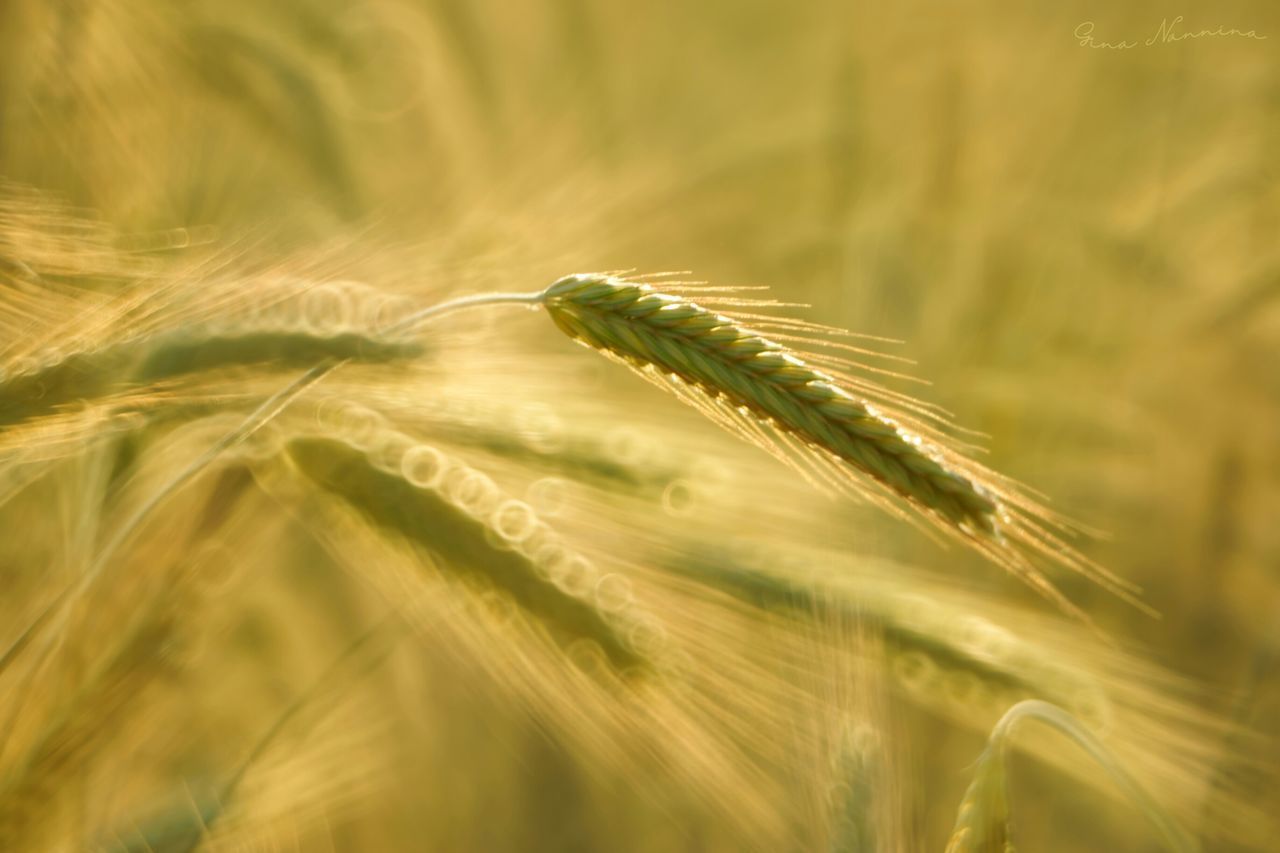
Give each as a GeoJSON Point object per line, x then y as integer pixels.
{"type": "Point", "coordinates": [456, 513]}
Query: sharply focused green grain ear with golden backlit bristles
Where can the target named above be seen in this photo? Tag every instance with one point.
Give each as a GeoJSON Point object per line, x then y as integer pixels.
{"type": "Point", "coordinates": [834, 427]}
